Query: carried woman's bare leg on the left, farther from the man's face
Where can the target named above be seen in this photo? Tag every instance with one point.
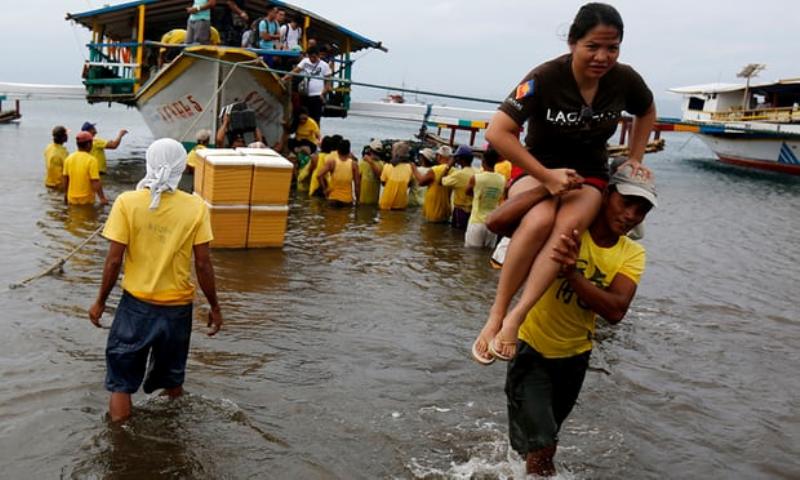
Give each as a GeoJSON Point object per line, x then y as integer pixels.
{"type": "Point", "coordinates": [528, 238]}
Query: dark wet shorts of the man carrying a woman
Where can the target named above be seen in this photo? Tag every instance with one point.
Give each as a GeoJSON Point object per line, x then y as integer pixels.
{"type": "Point", "coordinates": [540, 393]}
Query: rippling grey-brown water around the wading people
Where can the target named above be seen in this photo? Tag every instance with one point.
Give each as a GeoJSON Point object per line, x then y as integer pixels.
{"type": "Point", "coordinates": [345, 355]}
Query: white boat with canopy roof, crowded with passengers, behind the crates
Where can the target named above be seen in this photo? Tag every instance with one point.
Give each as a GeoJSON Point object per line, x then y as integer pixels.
{"type": "Point", "coordinates": [179, 97]}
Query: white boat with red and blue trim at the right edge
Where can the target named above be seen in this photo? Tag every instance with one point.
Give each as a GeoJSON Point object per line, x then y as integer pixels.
{"type": "Point", "coordinates": [751, 125]}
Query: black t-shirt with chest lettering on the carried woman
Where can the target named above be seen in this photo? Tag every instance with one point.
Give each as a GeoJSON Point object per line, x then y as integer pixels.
{"type": "Point", "coordinates": [564, 132]}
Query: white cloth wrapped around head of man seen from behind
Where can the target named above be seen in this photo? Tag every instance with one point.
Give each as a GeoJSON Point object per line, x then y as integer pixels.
{"type": "Point", "coordinates": [166, 160]}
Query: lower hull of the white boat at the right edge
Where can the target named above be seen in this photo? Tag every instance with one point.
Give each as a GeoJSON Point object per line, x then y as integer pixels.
{"type": "Point", "coordinates": [769, 153]}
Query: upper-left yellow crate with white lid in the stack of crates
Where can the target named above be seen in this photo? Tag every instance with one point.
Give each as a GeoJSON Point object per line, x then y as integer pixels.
{"type": "Point", "coordinates": [227, 180]}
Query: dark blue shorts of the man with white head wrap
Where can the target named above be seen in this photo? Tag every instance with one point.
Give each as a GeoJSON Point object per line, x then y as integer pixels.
{"type": "Point", "coordinates": [139, 329]}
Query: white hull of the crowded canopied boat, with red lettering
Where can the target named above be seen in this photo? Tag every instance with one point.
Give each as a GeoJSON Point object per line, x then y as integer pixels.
{"type": "Point", "coordinates": [190, 93]}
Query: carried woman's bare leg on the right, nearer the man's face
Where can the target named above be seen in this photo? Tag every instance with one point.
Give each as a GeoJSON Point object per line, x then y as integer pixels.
{"type": "Point", "coordinates": [576, 211]}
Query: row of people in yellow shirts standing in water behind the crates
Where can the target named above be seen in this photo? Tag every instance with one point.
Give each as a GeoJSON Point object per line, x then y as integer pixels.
{"type": "Point", "coordinates": [442, 182]}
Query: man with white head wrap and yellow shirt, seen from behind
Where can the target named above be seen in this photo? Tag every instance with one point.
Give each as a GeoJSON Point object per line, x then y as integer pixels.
{"type": "Point", "coordinates": [155, 229]}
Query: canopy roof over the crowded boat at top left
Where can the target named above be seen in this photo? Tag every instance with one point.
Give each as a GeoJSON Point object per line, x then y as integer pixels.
{"type": "Point", "coordinates": [162, 16]}
